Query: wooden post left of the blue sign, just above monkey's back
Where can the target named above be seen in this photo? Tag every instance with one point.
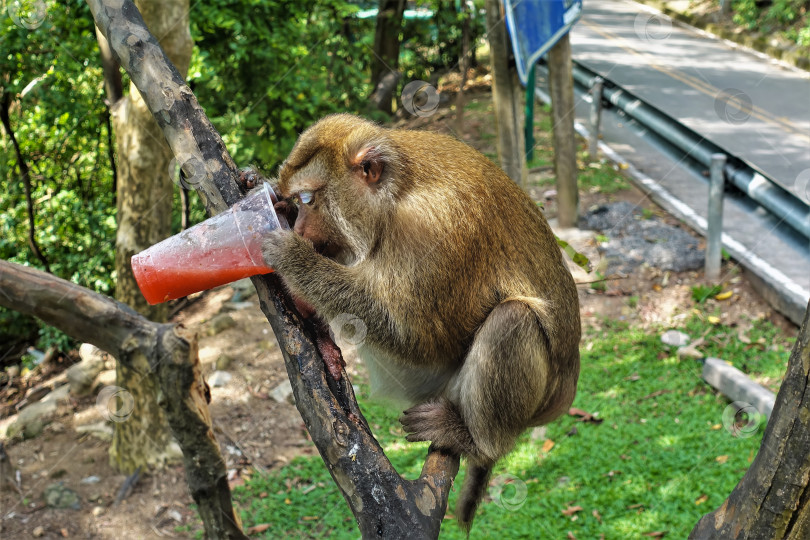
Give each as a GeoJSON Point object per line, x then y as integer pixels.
{"type": "Point", "coordinates": [506, 97]}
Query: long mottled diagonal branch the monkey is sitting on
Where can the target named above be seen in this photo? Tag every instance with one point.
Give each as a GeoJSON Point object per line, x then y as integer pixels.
{"type": "Point", "coordinates": [384, 504]}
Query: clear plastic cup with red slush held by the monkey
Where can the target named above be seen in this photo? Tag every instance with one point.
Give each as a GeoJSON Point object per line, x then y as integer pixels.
{"type": "Point", "coordinates": [221, 249]}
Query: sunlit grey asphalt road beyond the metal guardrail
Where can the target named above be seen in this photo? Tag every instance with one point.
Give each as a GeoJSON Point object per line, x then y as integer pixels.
{"type": "Point", "coordinates": [750, 106]}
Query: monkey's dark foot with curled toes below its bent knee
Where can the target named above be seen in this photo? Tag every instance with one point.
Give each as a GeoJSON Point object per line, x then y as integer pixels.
{"type": "Point", "coordinates": [439, 422]}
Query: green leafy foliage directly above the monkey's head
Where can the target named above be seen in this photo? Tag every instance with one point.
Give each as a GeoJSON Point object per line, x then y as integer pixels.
{"type": "Point", "coordinates": [266, 70]}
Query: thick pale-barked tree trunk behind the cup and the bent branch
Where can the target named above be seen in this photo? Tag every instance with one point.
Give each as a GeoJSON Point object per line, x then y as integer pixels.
{"type": "Point", "coordinates": [144, 200]}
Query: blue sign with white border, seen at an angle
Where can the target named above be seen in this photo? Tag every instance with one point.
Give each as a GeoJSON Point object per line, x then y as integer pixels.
{"type": "Point", "coordinates": [536, 25]}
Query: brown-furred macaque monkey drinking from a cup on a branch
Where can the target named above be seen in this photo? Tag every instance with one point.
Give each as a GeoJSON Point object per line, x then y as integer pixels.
{"type": "Point", "coordinates": [471, 315]}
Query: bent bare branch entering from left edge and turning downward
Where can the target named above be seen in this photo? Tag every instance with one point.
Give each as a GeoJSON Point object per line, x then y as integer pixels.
{"type": "Point", "coordinates": [141, 345]}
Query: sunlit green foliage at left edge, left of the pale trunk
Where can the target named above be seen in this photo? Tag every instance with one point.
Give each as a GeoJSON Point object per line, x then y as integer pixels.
{"type": "Point", "coordinates": [51, 80]}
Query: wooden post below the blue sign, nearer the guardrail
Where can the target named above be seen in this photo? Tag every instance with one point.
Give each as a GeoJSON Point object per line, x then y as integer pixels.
{"type": "Point", "coordinates": [561, 88]}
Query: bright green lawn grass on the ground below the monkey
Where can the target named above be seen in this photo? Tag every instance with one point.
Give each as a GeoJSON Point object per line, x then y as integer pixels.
{"type": "Point", "coordinates": [651, 464]}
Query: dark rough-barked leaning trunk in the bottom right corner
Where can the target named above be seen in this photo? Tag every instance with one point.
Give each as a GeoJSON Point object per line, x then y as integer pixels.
{"type": "Point", "coordinates": [772, 501]}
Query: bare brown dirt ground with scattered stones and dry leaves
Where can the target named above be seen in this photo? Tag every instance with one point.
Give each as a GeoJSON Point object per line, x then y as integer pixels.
{"type": "Point", "coordinates": [256, 431]}
